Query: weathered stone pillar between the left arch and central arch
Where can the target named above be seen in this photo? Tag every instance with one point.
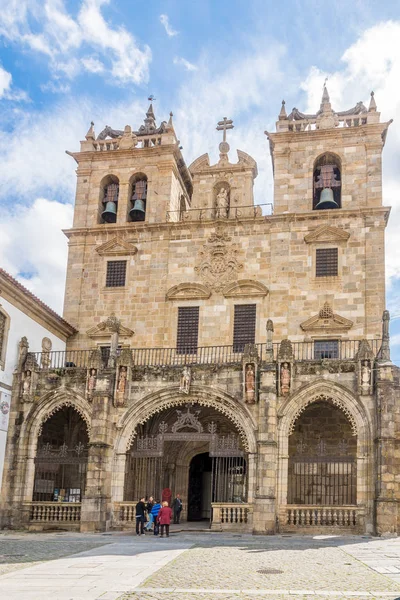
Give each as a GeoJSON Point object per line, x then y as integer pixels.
{"type": "Point", "coordinates": [96, 514]}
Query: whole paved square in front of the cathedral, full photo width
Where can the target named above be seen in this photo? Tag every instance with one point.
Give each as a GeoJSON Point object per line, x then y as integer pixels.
{"type": "Point", "coordinates": [197, 566]}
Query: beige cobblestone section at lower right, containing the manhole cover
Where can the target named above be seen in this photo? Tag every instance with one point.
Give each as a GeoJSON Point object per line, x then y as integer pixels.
{"type": "Point", "coordinates": [298, 566]}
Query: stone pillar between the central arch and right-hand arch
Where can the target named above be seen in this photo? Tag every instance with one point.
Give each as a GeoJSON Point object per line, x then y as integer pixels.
{"type": "Point", "coordinates": [264, 504]}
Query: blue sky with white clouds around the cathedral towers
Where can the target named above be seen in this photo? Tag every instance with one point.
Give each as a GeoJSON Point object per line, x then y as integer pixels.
{"type": "Point", "coordinates": [64, 63]}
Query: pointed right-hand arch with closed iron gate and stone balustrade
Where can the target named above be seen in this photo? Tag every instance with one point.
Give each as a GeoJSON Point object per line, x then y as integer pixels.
{"type": "Point", "coordinates": [325, 461]}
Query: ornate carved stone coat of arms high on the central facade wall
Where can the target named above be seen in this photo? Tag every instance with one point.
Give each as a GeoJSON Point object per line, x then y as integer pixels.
{"type": "Point", "coordinates": [218, 261]}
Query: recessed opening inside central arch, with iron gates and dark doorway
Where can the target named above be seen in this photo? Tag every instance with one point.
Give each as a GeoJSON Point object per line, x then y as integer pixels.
{"type": "Point", "coordinates": [191, 450]}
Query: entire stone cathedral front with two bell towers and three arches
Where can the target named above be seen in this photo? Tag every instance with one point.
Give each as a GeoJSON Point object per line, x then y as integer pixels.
{"type": "Point", "coordinates": [237, 354]}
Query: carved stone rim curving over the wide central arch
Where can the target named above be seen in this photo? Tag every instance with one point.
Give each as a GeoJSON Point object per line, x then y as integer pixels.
{"type": "Point", "coordinates": [158, 401]}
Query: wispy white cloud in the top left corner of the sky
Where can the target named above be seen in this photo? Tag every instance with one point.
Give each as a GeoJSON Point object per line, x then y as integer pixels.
{"type": "Point", "coordinates": [60, 37]}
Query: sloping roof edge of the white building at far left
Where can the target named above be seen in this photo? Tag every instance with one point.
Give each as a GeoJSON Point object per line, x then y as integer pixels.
{"type": "Point", "coordinates": [15, 293]}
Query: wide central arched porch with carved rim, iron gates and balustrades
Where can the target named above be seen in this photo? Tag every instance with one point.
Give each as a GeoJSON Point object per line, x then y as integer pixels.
{"type": "Point", "coordinates": [154, 457]}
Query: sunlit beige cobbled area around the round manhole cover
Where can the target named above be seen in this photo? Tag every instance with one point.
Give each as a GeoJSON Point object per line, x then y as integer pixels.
{"type": "Point", "coordinates": [316, 565]}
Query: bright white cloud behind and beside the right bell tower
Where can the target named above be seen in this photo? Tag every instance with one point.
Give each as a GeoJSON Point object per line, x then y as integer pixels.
{"type": "Point", "coordinates": [371, 63]}
